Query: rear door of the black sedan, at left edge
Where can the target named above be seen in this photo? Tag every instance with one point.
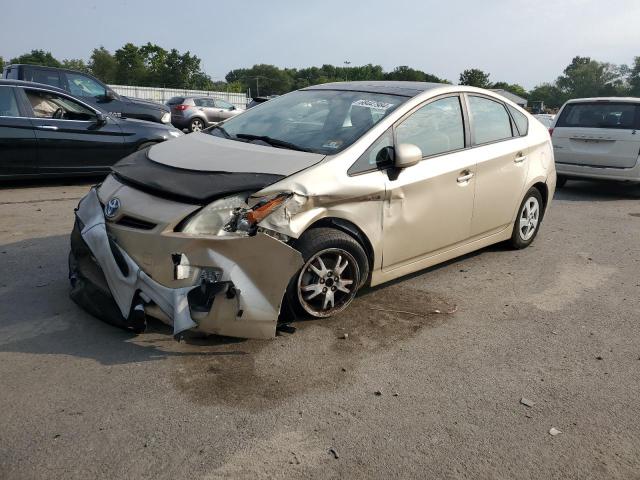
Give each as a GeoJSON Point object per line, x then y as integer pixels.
{"type": "Point", "coordinates": [18, 144]}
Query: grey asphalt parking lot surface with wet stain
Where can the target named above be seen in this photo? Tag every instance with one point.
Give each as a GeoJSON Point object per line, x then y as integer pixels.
{"type": "Point", "coordinates": [411, 393]}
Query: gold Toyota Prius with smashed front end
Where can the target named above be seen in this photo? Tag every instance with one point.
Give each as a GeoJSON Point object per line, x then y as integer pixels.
{"type": "Point", "coordinates": [289, 208]}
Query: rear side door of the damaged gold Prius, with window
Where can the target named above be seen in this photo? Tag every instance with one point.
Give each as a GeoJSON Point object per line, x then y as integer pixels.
{"type": "Point", "coordinates": [502, 165]}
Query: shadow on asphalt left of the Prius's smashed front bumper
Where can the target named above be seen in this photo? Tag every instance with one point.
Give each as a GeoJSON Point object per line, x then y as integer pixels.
{"type": "Point", "coordinates": [38, 317]}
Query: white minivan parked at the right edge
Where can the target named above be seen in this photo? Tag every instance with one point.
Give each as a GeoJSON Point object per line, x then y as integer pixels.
{"type": "Point", "coordinates": [598, 138]}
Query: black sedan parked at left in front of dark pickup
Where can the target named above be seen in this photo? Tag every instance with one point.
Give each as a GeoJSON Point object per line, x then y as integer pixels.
{"type": "Point", "coordinates": [46, 131]}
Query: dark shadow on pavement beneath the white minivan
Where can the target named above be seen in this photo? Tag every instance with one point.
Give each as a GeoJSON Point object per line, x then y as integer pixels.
{"type": "Point", "coordinates": [600, 190]}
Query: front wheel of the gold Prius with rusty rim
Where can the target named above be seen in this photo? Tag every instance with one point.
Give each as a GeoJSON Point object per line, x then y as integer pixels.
{"type": "Point", "coordinates": [328, 282]}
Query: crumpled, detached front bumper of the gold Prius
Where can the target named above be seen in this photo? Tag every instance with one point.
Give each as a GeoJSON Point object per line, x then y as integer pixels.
{"type": "Point", "coordinates": [255, 272]}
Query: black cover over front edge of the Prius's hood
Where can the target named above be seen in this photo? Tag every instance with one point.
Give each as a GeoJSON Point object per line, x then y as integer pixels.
{"type": "Point", "coordinates": [188, 186]}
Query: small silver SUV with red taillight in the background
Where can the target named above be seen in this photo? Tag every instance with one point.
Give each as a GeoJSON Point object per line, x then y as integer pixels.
{"type": "Point", "coordinates": [197, 113]}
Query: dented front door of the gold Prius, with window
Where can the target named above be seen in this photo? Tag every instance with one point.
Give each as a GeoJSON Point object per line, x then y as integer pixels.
{"type": "Point", "coordinates": [428, 206]}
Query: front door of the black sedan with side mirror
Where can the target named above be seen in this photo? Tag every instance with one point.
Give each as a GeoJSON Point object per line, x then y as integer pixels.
{"type": "Point", "coordinates": [70, 137]}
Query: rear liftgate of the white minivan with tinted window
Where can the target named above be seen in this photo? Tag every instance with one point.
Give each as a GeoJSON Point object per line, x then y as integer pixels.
{"type": "Point", "coordinates": [598, 134]}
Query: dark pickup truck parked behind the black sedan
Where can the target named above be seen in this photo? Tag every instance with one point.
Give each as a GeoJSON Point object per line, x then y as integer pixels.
{"type": "Point", "coordinates": [90, 90]}
